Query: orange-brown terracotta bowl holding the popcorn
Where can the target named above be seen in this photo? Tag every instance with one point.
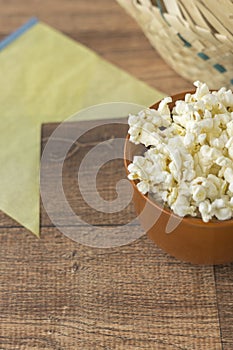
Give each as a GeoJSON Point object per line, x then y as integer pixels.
{"type": "Point", "coordinates": [188, 239]}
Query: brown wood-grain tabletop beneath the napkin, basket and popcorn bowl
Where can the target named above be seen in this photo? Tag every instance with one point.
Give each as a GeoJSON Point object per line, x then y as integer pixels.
{"type": "Point", "coordinates": [58, 294]}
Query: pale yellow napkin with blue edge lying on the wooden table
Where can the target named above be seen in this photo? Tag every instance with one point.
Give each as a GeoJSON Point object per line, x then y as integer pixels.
{"type": "Point", "coordinates": [46, 77]}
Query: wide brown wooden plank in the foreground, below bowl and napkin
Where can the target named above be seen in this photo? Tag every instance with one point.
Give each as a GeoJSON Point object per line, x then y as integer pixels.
{"type": "Point", "coordinates": [57, 294]}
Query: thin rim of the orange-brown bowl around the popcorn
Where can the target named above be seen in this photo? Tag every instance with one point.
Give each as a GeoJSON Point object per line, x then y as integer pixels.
{"type": "Point", "coordinates": [167, 211]}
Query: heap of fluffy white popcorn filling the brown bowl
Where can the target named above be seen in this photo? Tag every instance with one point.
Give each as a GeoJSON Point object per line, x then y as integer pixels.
{"type": "Point", "coordinates": [188, 164]}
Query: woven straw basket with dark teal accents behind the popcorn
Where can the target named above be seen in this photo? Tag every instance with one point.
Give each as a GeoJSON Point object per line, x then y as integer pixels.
{"type": "Point", "coordinates": [195, 37]}
